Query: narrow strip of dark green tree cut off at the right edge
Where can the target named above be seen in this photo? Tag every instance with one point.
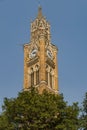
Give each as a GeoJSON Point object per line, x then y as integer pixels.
{"type": "Point", "coordinates": [83, 118]}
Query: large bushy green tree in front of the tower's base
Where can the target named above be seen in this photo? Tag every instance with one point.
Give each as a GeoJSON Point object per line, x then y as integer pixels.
{"type": "Point", "coordinates": [34, 111]}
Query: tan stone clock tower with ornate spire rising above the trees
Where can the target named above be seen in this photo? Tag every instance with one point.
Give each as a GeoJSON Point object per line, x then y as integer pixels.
{"type": "Point", "coordinates": [40, 58]}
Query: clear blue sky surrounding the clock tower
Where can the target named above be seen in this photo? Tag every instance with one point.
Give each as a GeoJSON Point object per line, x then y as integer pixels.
{"type": "Point", "coordinates": [68, 19]}
